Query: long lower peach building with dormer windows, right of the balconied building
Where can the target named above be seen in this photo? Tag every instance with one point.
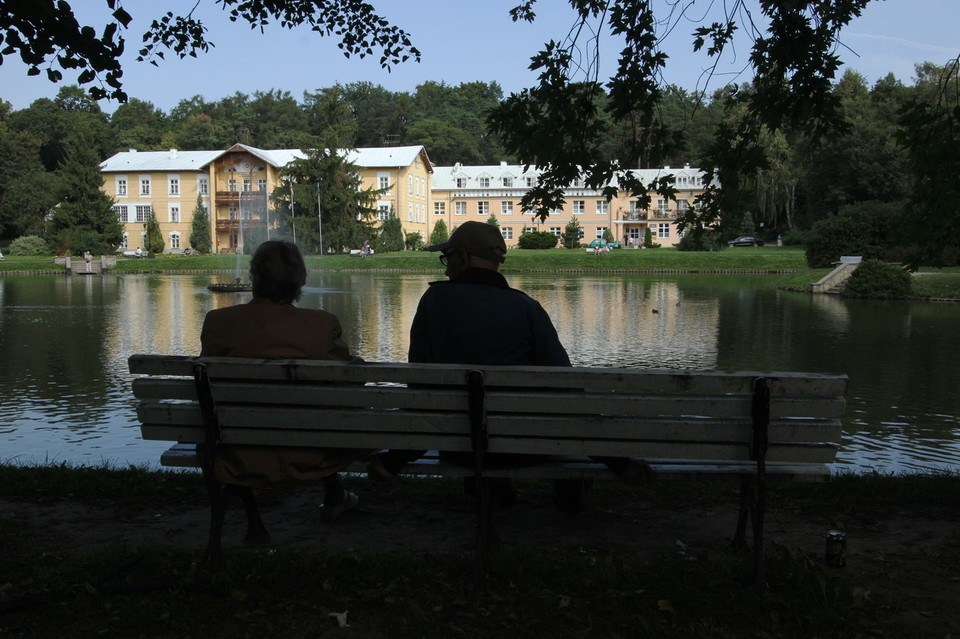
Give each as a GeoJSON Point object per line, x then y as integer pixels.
{"type": "Point", "coordinates": [463, 193]}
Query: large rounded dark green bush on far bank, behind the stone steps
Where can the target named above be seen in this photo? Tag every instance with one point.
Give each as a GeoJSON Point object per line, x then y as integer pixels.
{"type": "Point", "coordinates": [867, 229]}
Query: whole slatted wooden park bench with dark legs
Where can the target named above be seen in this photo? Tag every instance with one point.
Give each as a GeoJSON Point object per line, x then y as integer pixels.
{"type": "Point", "coordinates": [745, 426]}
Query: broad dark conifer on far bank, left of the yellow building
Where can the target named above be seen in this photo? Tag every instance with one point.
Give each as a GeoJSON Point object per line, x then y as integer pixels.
{"type": "Point", "coordinates": [84, 219]}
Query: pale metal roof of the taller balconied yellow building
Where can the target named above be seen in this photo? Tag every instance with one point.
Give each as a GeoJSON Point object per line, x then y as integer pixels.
{"type": "Point", "coordinates": [174, 160]}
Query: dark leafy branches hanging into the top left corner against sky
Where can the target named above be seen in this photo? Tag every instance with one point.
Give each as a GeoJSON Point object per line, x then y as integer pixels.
{"type": "Point", "coordinates": [46, 31]}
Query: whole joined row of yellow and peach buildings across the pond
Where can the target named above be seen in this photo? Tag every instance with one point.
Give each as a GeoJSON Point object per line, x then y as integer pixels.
{"type": "Point", "coordinates": [234, 186]}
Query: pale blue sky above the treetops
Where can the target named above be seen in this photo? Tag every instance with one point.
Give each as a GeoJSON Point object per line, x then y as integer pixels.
{"type": "Point", "coordinates": [463, 41]}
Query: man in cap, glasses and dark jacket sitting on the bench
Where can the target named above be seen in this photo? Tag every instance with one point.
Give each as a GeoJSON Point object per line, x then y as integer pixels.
{"type": "Point", "coordinates": [476, 318]}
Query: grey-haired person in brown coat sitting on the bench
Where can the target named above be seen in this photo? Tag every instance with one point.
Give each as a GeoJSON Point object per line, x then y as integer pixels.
{"type": "Point", "coordinates": [270, 326]}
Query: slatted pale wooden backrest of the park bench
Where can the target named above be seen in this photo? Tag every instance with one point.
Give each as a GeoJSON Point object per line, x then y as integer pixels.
{"type": "Point", "coordinates": [654, 414]}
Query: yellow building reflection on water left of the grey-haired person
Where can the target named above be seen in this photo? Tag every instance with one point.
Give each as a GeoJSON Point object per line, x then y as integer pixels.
{"type": "Point", "coordinates": [162, 314]}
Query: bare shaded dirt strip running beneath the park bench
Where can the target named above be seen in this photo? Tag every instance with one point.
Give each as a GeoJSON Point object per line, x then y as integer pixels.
{"type": "Point", "coordinates": [914, 560]}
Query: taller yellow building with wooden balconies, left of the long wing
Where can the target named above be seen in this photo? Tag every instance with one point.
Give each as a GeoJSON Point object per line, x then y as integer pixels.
{"type": "Point", "coordinates": [233, 185]}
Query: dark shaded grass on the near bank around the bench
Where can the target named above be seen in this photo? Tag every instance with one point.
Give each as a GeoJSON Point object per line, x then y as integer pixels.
{"type": "Point", "coordinates": [51, 588]}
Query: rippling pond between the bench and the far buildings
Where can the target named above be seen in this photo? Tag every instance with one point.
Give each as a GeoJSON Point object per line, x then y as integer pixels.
{"type": "Point", "coordinates": [64, 342]}
